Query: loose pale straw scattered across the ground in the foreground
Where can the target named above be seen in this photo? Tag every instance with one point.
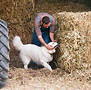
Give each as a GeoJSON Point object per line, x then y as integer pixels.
{"type": "Point", "coordinates": [20, 79]}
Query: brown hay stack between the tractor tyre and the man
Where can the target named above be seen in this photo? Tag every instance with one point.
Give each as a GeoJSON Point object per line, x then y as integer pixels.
{"type": "Point", "coordinates": [19, 15]}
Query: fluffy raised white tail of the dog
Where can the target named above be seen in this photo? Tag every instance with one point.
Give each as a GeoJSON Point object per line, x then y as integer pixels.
{"type": "Point", "coordinates": [17, 43]}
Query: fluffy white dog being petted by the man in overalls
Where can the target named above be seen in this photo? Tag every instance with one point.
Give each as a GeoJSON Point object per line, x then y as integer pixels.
{"type": "Point", "coordinates": [40, 55]}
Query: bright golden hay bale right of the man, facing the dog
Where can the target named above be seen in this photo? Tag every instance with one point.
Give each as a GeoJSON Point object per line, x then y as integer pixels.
{"type": "Point", "coordinates": [74, 34]}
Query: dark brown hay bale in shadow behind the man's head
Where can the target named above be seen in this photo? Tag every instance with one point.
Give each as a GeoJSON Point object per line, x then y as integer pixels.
{"type": "Point", "coordinates": [54, 6]}
